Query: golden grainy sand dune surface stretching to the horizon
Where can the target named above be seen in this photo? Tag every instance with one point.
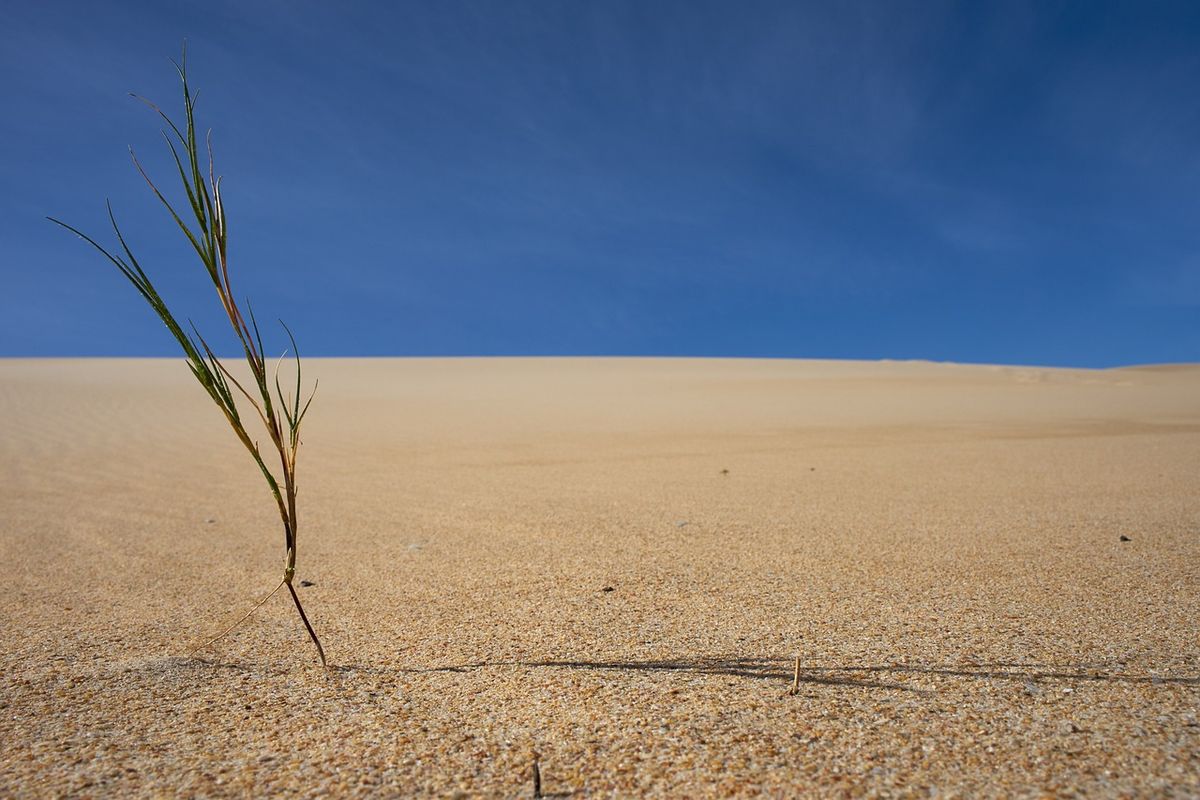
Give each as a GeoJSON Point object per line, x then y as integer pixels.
{"type": "Point", "coordinates": [613, 563]}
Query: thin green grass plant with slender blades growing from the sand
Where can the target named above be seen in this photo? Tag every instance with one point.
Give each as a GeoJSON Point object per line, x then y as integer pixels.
{"type": "Point", "coordinates": [279, 414]}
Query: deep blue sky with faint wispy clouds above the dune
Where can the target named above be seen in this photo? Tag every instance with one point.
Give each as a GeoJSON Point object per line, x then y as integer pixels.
{"type": "Point", "coordinates": [1012, 183]}
